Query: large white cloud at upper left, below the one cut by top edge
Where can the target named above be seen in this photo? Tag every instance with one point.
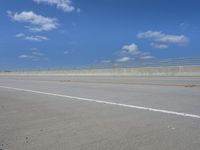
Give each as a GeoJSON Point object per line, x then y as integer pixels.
{"type": "Point", "coordinates": [36, 22]}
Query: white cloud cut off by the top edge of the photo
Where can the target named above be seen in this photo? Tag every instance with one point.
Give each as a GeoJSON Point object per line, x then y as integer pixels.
{"type": "Point", "coordinates": [65, 5]}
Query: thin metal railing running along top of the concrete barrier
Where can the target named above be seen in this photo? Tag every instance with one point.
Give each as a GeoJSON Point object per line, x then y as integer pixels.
{"type": "Point", "coordinates": [184, 61]}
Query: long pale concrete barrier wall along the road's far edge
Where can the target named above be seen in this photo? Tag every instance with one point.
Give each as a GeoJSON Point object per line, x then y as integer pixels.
{"type": "Point", "coordinates": [145, 71]}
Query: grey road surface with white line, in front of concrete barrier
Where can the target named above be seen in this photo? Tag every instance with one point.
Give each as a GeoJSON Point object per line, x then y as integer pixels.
{"type": "Point", "coordinates": [99, 113]}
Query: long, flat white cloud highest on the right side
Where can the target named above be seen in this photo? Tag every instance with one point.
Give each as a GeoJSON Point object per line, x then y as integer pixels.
{"type": "Point", "coordinates": [164, 38]}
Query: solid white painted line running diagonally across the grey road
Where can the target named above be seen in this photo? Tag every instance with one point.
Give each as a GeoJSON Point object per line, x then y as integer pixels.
{"type": "Point", "coordinates": [106, 102]}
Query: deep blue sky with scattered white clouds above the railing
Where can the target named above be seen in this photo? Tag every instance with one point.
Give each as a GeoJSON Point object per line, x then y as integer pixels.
{"type": "Point", "coordinates": [68, 33]}
